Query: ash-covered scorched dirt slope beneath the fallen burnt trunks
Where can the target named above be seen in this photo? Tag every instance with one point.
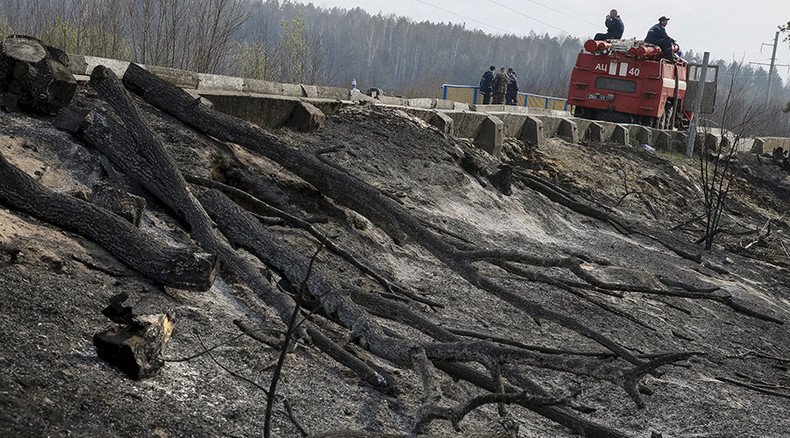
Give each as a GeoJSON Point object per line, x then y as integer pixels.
{"type": "Point", "coordinates": [56, 285]}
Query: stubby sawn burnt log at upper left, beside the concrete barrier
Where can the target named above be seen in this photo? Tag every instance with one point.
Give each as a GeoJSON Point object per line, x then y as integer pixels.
{"type": "Point", "coordinates": [33, 77]}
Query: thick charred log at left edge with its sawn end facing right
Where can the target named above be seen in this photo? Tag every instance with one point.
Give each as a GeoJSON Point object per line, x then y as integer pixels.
{"type": "Point", "coordinates": [180, 268]}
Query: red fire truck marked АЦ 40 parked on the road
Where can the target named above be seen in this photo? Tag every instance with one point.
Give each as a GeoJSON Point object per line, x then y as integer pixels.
{"type": "Point", "coordinates": [627, 81]}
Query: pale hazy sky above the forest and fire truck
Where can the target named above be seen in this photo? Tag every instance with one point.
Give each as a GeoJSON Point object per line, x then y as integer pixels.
{"type": "Point", "coordinates": [728, 29]}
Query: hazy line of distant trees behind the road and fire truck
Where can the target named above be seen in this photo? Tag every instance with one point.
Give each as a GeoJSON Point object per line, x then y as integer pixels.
{"type": "Point", "coordinates": [293, 42]}
